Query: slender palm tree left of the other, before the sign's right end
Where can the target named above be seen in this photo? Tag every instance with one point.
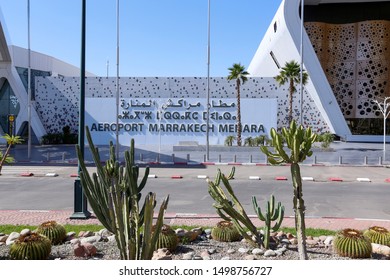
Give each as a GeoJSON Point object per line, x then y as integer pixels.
{"type": "Point", "coordinates": [238, 73]}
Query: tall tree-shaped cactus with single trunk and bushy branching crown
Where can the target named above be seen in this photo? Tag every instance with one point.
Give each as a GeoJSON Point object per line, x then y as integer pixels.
{"type": "Point", "coordinates": [299, 141]}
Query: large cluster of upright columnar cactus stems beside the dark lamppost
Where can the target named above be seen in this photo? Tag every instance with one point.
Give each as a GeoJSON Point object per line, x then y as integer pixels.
{"type": "Point", "coordinates": [114, 195]}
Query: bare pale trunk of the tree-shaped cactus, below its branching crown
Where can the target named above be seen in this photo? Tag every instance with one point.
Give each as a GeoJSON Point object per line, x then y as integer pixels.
{"type": "Point", "coordinates": [299, 209]}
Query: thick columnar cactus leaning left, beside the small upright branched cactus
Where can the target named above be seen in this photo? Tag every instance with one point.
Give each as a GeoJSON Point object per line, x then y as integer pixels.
{"type": "Point", "coordinates": [231, 209]}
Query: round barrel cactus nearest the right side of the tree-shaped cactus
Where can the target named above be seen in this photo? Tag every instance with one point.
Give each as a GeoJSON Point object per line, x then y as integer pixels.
{"type": "Point", "coordinates": [352, 243]}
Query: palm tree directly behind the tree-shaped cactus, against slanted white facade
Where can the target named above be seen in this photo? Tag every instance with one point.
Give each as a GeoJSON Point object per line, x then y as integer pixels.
{"type": "Point", "coordinates": [291, 73]}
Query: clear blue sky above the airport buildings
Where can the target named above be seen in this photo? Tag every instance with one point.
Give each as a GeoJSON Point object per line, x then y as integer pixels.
{"type": "Point", "coordinates": [157, 37]}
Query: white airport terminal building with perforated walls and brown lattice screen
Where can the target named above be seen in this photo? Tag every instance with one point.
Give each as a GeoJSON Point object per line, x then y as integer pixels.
{"type": "Point", "coordinates": [345, 52]}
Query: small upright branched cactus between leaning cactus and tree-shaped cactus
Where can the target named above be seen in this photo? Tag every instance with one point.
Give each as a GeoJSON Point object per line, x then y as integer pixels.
{"type": "Point", "coordinates": [271, 214]}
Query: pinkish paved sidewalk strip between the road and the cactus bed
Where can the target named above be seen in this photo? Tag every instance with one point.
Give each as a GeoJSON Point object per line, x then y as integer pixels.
{"type": "Point", "coordinates": [26, 217]}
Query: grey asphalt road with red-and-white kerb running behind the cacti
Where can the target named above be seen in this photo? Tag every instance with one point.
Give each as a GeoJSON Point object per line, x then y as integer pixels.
{"type": "Point", "coordinates": [323, 198]}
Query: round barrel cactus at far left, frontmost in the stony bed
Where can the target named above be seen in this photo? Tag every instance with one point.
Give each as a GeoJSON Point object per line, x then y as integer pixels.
{"type": "Point", "coordinates": [31, 246]}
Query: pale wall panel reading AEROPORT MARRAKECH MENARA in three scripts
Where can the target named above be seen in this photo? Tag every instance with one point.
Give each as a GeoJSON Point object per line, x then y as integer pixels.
{"type": "Point", "coordinates": [170, 120]}
